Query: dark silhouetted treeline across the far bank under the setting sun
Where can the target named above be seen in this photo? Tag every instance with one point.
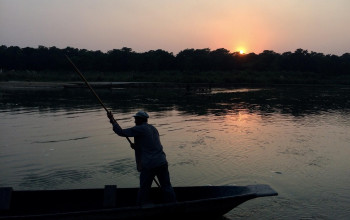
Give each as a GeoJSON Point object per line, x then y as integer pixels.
{"type": "Point", "coordinates": [192, 61]}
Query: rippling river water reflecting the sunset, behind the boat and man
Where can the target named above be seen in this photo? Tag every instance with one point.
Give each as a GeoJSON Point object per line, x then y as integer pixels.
{"type": "Point", "coordinates": [295, 139]}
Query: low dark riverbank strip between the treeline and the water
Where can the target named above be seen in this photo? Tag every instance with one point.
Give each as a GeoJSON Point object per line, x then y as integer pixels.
{"type": "Point", "coordinates": [178, 77]}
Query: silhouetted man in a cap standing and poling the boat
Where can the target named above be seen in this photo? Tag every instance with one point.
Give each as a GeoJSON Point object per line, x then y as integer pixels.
{"type": "Point", "coordinates": [150, 157]}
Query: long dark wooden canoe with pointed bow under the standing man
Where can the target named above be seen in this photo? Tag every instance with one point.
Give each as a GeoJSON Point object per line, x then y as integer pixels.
{"type": "Point", "coordinates": [195, 202]}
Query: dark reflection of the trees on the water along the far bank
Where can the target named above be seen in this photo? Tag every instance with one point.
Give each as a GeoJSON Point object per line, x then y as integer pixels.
{"type": "Point", "coordinates": [296, 101]}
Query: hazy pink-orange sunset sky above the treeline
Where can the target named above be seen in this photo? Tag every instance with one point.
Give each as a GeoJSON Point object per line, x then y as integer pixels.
{"type": "Point", "coordinates": [174, 25]}
